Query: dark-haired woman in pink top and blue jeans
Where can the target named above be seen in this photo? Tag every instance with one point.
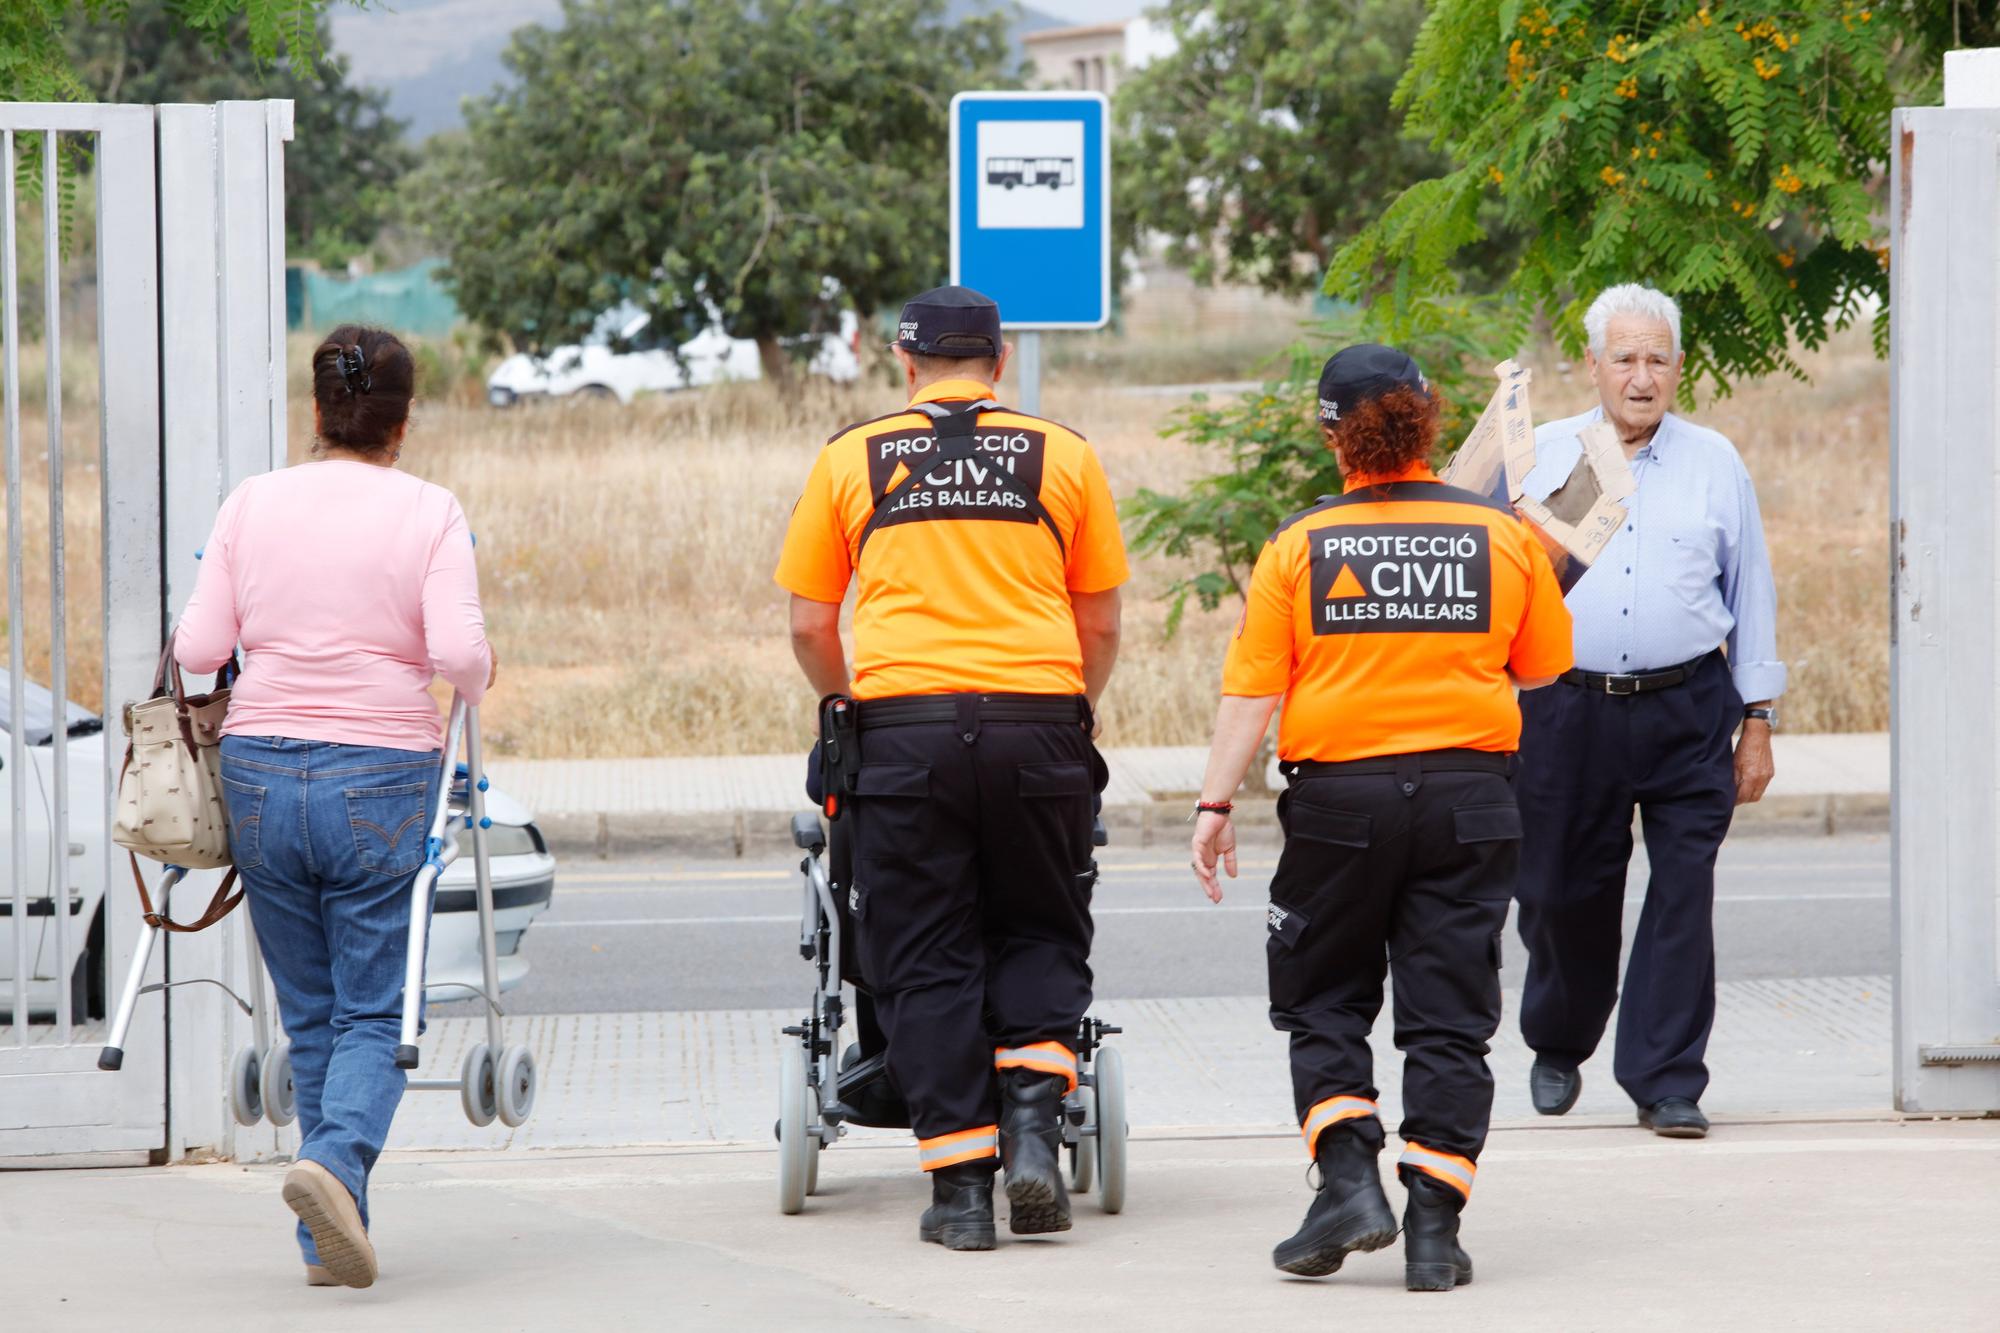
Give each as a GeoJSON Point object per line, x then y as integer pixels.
{"type": "Point", "coordinates": [351, 587]}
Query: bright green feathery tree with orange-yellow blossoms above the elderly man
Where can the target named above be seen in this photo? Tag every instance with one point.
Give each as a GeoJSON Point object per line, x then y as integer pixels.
{"type": "Point", "coordinates": [1725, 153]}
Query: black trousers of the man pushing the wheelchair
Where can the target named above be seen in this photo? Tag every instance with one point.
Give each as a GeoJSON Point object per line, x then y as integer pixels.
{"type": "Point", "coordinates": [973, 902]}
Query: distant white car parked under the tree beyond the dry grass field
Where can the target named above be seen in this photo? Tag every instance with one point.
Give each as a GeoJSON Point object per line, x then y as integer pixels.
{"type": "Point", "coordinates": [597, 369]}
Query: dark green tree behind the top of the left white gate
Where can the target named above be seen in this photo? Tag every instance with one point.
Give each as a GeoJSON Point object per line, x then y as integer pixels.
{"type": "Point", "coordinates": [347, 153]}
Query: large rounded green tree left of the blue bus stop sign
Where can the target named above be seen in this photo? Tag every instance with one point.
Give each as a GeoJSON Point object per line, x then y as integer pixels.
{"type": "Point", "coordinates": [771, 159]}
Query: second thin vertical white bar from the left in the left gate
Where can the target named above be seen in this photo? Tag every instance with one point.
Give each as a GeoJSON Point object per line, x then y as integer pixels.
{"type": "Point", "coordinates": [59, 633]}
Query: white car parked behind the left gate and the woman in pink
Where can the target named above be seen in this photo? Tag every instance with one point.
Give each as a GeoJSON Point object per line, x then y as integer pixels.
{"type": "Point", "coordinates": [523, 876]}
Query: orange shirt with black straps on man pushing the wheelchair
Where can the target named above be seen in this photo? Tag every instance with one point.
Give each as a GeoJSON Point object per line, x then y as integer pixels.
{"type": "Point", "coordinates": [961, 587]}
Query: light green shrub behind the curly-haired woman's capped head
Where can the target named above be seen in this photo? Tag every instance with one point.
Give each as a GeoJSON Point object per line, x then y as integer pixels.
{"type": "Point", "coordinates": [1273, 457]}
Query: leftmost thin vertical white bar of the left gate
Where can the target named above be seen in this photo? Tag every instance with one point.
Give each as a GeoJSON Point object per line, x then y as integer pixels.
{"type": "Point", "coordinates": [17, 760]}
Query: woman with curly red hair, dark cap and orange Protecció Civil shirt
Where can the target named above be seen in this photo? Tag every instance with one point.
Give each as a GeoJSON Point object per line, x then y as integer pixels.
{"type": "Point", "coordinates": [1395, 623]}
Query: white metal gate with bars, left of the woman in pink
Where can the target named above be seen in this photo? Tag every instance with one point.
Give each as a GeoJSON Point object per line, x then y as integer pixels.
{"type": "Point", "coordinates": [183, 381]}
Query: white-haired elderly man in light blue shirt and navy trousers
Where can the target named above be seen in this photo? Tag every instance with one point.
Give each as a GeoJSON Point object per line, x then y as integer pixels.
{"type": "Point", "coordinates": [1669, 712]}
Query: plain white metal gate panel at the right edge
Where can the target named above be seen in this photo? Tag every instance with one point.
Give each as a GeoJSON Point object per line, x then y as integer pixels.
{"type": "Point", "coordinates": [1945, 503]}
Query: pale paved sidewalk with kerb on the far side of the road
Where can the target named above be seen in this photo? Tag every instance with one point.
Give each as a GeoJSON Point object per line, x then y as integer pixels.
{"type": "Point", "coordinates": [743, 806]}
